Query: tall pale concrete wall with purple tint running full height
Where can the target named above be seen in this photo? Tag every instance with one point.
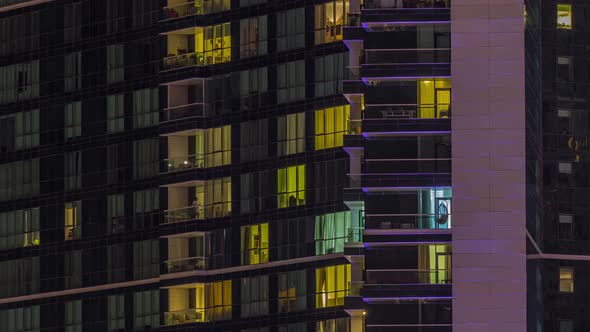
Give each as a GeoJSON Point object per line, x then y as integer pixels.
{"type": "Point", "coordinates": [488, 139]}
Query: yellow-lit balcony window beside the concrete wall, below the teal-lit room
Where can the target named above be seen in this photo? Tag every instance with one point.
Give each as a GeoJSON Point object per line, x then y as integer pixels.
{"type": "Point", "coordinates": [434, 263]}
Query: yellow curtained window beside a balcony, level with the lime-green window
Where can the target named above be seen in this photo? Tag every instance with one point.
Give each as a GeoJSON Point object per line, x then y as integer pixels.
{"type": "Point", "coordinates": [216, 195]}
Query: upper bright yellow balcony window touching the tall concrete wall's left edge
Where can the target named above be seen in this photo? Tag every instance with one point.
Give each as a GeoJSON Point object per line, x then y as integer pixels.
{"type": "Point", "coordinates": [434, 98]}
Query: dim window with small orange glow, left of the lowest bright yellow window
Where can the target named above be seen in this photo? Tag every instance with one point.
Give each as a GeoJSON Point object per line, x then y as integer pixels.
{"type": "Point", "coordinates": [292, 291]}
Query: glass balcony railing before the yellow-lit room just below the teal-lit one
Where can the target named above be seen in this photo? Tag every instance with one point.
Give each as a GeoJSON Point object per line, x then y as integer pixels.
{"type": "Point", "coordinates": [400, 277]}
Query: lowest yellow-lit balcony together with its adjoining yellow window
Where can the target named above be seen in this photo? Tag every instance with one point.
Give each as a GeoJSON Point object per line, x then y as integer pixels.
{"type": "Point", "coordinates": [199, 303]}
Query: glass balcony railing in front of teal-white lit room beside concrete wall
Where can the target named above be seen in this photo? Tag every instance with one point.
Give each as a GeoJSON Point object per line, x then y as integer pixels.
{"type": "Point", "coordinates": [407, 221]}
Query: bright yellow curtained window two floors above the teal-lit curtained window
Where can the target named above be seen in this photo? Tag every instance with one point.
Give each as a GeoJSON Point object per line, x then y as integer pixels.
{"type": "Point", "coordinates": [330, 126]}
